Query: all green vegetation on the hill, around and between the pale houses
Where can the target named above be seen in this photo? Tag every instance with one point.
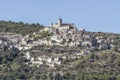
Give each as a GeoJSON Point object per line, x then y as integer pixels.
{"type": "Point", "coordinates": [97, 65]}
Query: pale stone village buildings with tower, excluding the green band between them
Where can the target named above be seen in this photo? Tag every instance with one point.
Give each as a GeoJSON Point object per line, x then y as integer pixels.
{"type": "Point", "coordinates": [58, 34]}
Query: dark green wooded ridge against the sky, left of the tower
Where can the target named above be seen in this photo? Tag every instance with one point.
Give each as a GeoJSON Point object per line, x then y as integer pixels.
{"type": "Point", "coordinates": [19, 27]}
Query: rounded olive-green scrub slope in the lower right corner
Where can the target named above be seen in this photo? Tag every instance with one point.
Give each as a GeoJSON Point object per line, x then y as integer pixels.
{"type": "Point", "coordinates": [102, 66]}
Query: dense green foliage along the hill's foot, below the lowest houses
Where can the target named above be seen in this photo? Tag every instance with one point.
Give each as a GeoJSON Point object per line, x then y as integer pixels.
{"type": "Point", "coordinates": [101, 66]}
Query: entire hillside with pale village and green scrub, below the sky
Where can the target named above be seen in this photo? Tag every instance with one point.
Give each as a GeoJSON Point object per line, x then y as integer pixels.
{"type": "Point", "coordinates": [62, 53]}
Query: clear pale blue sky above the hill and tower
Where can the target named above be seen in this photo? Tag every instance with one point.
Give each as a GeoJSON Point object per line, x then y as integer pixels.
{"type": "Point", "coordinates": [92, 15]}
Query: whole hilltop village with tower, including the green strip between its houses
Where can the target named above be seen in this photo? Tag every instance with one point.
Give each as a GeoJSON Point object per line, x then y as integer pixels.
{"type": "Point", "coordinates": [58, 47]}
